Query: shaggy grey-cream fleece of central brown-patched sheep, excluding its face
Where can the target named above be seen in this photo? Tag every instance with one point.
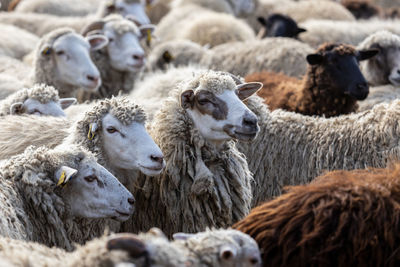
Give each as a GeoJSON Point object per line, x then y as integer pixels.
{"type": "Point", "coordinates": [202, 185]}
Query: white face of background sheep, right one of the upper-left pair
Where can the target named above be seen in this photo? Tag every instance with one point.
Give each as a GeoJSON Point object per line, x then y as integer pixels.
{"type": "Point", "coordinates": [124, 50]}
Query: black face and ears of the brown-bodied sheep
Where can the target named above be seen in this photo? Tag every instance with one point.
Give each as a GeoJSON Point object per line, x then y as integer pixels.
{"type": "Point", "coordinates": [342, 72]}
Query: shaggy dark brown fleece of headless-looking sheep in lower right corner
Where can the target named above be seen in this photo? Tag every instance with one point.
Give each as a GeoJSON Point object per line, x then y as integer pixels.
{"type": "Point", "coordinates": [344, 218]}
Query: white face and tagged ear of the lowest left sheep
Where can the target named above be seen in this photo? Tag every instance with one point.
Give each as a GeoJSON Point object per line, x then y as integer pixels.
{"type": "Point", "coordinates": [93, 192]}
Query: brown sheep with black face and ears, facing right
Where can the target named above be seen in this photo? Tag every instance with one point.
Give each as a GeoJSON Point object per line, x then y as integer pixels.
{"type": "Point", "coordinates": [331, 87]}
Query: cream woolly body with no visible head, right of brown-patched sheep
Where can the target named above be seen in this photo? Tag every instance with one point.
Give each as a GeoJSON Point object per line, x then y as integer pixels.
{"type": "Point", "coordinates": [292, 149]}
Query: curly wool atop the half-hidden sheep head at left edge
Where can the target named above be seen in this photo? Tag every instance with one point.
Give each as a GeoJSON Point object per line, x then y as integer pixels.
{"type": "Point", "coordinates": [40, 92]}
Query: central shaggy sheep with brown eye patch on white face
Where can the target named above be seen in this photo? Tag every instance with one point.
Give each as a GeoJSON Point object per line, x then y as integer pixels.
{"type": "Point", "coordinates": [194, 129]}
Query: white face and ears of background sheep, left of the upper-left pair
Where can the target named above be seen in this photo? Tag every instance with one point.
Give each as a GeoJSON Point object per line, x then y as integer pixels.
{"type": "Point", "coordinates": [73, 63]}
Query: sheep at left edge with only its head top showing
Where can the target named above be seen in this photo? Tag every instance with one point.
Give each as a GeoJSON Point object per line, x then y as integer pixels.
{"type": "Point", "coordinates": [39, 100]}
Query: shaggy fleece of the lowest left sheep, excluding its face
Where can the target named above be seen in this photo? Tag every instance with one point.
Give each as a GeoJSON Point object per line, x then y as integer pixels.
{"type": "Point", "coordinates": [46, 215]}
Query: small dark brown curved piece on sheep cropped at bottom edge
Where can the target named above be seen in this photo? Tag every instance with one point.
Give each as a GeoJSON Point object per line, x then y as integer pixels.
{"type": "Point", "coordinates": [129, 243]}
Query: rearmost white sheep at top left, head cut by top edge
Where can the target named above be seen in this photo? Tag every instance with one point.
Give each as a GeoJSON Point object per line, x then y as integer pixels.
{"type": "Point", "coordinates": [41, 24]}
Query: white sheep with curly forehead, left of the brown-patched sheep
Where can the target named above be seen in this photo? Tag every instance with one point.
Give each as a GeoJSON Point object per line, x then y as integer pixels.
{"type": "Point", "coordinates": [112, 129]}
